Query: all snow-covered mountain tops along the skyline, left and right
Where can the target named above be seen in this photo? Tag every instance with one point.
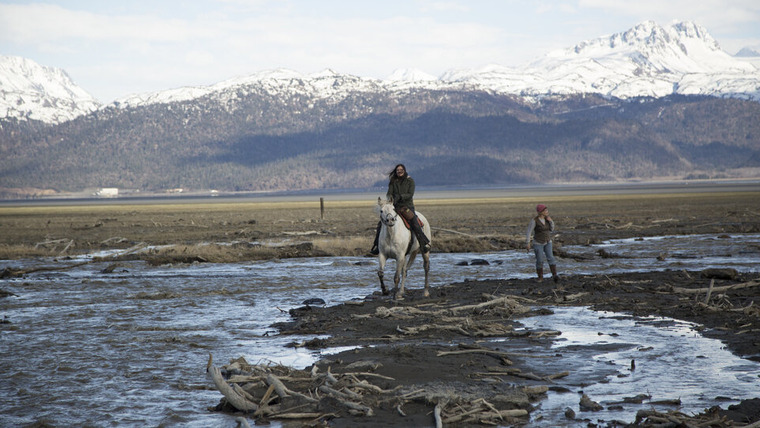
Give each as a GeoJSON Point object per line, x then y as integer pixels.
{"type": "Point", "coordinates": [647, 60]}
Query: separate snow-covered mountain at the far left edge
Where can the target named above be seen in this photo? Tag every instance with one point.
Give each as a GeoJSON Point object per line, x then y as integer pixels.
{"type": "Point", "coordinates": [32, 91]}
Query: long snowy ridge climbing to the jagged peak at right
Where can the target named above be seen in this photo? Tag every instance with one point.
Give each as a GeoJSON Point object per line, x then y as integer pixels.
{"type": "Point", "coordinates": [647, 60]}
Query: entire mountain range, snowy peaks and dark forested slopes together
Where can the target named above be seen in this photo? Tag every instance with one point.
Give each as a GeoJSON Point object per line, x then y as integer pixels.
{"type": "Point", "coordinates": [645, 103]}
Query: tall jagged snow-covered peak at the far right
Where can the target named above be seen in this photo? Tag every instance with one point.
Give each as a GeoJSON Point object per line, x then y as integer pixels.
{"type": "Point", "coordinates": [647, 60]}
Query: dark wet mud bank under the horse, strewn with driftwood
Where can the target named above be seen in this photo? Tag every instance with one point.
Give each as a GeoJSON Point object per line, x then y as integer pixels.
{"type": "Point", "coordinates": [439, 345]}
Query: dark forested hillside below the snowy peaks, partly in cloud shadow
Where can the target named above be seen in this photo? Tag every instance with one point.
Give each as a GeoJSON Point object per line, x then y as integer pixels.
{"type": "Point", "coordinates": [254, 141]}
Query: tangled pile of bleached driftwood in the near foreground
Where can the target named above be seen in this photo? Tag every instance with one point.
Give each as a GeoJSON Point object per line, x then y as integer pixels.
{"type": "Point", "coordinates": [277, 392]}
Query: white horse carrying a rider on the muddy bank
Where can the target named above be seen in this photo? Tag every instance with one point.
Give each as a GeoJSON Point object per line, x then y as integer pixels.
{"type": "Point", "coordinates": [399, 243]}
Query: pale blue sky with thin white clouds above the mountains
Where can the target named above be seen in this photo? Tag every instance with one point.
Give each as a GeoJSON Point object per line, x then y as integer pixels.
{"type": "Point", "coordinates": [114, 49]}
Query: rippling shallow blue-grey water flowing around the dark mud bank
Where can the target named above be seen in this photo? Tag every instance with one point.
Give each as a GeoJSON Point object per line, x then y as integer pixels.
{"type": "Point", "coordinates": [84, 347]}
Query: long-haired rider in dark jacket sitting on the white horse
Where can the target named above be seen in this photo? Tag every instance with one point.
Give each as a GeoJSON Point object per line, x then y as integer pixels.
{"type": "Point", "coordinates": [401, 192]}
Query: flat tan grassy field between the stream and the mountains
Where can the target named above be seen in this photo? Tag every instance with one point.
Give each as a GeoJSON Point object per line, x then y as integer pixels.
{"type": "Point", "coordinates": [217, 232]}
